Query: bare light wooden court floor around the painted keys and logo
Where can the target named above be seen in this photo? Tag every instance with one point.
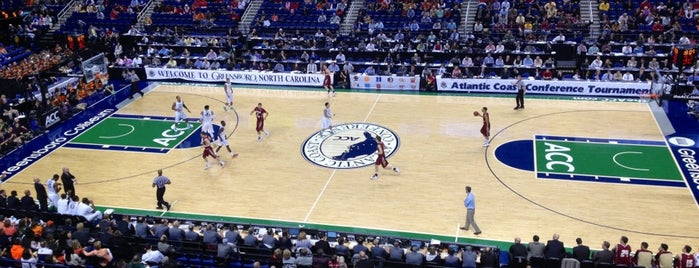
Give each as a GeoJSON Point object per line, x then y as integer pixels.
{"type": "Point", "coordinates": [440, 152]}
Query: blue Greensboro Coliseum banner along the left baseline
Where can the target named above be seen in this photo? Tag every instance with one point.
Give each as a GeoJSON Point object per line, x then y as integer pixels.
{"type": "Point", "coordinates": [55, 142]}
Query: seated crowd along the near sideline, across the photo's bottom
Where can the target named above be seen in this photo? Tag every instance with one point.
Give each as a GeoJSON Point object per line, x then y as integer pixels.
{"type": "Point", "coordinates": [73, 233]}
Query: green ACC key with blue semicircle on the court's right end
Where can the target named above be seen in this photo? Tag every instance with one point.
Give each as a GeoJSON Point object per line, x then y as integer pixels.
{"type": "Point", "coordinates": [595, 160]}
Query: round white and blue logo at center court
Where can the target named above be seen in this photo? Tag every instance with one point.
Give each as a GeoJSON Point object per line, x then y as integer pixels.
{"type": "Point", "coordinates": [350, 145]}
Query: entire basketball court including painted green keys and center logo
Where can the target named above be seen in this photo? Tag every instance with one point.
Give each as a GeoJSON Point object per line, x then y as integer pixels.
{"type": "Point", "coordinates": [590, 169]}
